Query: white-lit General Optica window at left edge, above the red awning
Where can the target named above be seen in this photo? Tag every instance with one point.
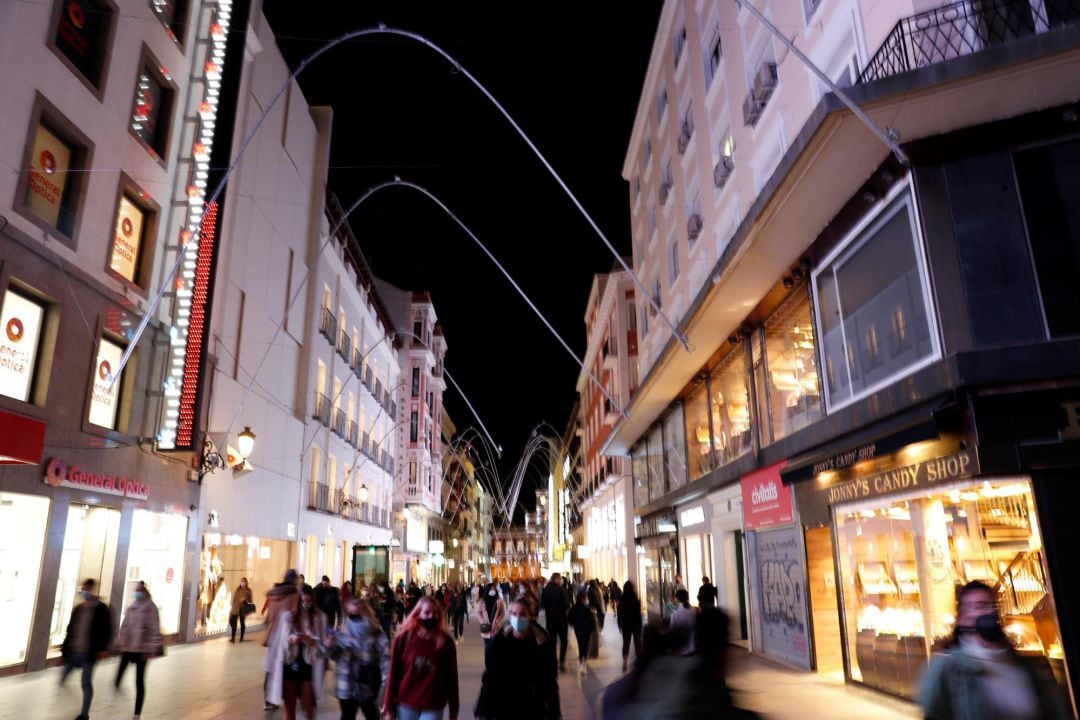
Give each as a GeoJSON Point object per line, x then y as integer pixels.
{"type": "Point", "coordinates": [23, 321]}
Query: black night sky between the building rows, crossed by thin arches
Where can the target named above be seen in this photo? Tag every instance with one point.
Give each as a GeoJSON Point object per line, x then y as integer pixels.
{"type": "Point", "coordinates": [571, 75]}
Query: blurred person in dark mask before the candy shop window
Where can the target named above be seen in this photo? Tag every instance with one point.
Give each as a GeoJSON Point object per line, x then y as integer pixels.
{"type": "Point", "coordinates": [980, 676]}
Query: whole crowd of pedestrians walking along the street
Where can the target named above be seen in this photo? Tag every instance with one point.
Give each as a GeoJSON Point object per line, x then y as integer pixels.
{"type": "Point", "coordinates": [395, 651]}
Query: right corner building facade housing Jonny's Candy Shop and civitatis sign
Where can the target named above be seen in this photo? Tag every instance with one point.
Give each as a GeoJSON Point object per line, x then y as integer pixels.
{"type": "Point", "coordinates": [877, 405]}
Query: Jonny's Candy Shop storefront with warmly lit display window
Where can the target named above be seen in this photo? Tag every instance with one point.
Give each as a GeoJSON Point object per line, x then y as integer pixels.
{"type": "Point", "coordinates": [908, 529]}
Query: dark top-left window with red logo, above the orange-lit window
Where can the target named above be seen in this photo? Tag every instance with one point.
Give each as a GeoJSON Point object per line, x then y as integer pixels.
{"type": "Point", "coordinates": [83, 37]}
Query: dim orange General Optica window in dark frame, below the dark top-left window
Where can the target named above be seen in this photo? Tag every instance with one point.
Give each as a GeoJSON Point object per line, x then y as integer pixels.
{"type": "Point", "coordinates": [52, 186]}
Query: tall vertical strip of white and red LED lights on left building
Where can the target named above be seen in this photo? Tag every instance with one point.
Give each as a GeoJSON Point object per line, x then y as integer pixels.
{"type": "Point", "coordinates": [196, 242]}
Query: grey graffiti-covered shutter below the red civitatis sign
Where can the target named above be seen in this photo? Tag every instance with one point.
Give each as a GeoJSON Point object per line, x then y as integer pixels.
{"type": "Point", "coordinates": [779, 582]}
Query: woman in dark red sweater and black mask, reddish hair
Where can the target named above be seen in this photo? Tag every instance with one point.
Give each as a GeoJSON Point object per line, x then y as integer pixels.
{"type": "Point", "coordinates": [424, 668]}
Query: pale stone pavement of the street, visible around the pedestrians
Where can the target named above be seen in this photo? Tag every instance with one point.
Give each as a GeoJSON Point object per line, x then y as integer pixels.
{"type": "Point", "coordinates": [215, 681]}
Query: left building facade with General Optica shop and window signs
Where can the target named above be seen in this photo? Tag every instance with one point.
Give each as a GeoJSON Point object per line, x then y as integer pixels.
{"type": "Point", "coordinates": [102, 104]}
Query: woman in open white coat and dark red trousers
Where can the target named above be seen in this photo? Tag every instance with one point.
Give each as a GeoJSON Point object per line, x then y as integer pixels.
{"type": "Point", "coordinates": [296, 660]}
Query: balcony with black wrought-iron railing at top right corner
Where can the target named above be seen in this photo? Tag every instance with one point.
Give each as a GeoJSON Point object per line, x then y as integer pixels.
{"type": "Point", "coordinates": [963, 29]}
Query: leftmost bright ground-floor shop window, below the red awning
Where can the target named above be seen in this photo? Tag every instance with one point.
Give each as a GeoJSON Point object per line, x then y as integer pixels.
{"type": "Point", "coordinates": [23, 521]}
